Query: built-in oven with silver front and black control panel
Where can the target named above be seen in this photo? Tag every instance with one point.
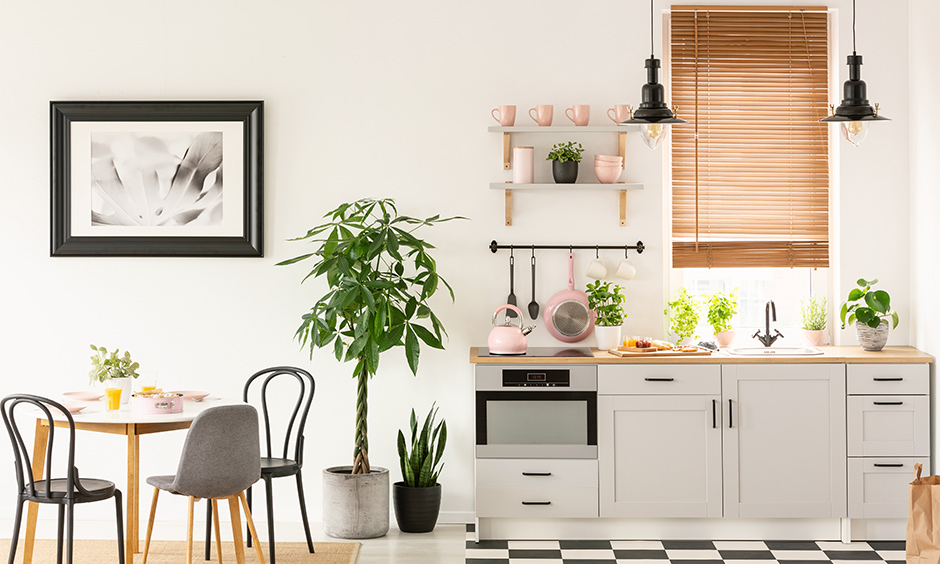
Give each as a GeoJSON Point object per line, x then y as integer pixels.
{"type": "Point", "coordinates": [547, 411]}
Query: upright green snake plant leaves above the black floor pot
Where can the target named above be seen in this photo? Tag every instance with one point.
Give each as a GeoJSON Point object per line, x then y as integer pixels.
{"type": "Point", "coordinates": [421, 467]}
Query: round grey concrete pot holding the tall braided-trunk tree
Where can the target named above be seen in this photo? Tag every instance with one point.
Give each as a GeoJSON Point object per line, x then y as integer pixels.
{"type": "Point", "coordinates": [355, 506]}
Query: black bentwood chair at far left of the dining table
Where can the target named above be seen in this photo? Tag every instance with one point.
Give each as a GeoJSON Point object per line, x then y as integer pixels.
{"type": "Point", "coordinates": [64, 492]}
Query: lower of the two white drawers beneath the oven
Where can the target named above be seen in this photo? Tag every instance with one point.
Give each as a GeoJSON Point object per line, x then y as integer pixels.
{"type": "Point", "coordinates": [536, 502]}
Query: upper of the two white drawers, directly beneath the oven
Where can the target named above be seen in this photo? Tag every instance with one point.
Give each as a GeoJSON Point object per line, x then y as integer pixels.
{"type": "Point", "coordinates": [536, 473]}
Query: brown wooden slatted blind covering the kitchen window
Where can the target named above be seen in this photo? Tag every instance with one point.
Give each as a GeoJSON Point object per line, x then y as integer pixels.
{"type": "Point", "coordinates": [750, 172]}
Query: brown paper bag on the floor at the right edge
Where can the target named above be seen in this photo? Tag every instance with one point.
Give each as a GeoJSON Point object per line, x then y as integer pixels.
{"type": "Point", "coordinates": [923, 519]}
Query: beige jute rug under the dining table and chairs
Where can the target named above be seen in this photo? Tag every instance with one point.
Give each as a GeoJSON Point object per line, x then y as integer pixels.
{"type": "Point", "coordinates": [174, 552]}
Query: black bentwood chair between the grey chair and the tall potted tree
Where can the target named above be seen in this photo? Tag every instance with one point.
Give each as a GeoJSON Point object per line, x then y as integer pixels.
{"type": "Point", "coordinates": [274, 467]}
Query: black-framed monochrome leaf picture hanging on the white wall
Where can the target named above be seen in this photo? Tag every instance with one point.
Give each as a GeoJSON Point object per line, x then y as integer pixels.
{"type": "Point", "coordinates": [157, 178]}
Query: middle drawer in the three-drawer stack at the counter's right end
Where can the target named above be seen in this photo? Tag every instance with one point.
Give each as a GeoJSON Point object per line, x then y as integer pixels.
{"type": "Point", "coordinates": [888, 426]}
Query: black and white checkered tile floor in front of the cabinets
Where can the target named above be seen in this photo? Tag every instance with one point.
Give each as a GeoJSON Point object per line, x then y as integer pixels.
{"type": "Point", "coordinates": [681, 552]}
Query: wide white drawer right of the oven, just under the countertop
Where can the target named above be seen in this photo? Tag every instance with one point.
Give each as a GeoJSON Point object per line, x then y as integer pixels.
{"type": "Point", "coordinates": [659, 379]}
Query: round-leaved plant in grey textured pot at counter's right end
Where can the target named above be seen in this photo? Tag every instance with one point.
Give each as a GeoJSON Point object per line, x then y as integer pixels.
{"type": "Point", "coordinates": [872, 314]}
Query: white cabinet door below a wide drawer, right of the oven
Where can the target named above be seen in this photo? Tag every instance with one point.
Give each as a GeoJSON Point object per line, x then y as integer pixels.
{"type": "Point", "coordinates": [659, 456]}
